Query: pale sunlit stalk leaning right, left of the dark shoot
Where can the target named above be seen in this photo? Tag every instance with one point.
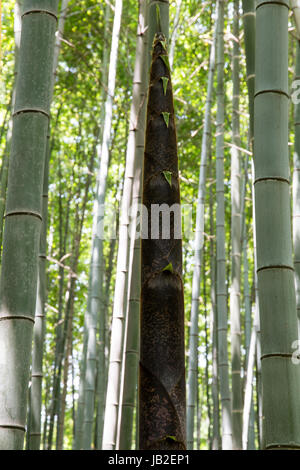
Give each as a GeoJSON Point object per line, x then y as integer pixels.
{"type": "Point", "coordinates": [121, 284]}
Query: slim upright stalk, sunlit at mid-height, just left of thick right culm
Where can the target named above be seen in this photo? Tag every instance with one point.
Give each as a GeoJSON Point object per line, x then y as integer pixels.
{"type": "Point", "coordinates": [235, 292]}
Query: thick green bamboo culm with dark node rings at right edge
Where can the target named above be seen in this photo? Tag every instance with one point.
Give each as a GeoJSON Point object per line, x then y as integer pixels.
{"type": "Point", "coordinates": [275, 273]}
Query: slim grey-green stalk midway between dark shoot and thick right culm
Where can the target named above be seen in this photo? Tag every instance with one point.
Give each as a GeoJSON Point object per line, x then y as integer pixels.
{"type": "Point", "coordinates": [221, 294]}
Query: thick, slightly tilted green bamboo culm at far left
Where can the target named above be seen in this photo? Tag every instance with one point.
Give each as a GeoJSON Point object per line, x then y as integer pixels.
{"type": "Point", "coordinates": [18, 286]}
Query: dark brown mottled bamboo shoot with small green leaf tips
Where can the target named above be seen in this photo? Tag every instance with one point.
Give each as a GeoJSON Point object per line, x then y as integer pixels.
{"type": "Point", "coordinates": [162, 367]}
